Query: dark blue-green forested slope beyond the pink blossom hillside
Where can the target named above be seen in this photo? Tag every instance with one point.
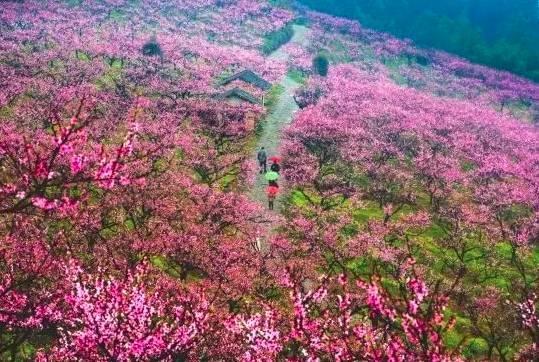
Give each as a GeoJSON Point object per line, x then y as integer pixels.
{"type": "Point", "coordinates": [503, 34]}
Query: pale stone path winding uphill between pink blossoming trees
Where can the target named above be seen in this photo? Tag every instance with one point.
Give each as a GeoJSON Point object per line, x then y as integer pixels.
{"type": "Point", "coordinates": [281, 116]}
